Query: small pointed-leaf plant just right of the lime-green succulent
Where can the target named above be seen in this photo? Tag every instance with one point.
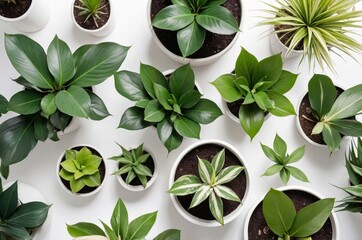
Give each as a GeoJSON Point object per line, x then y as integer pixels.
{"type": "Point", "coordinates": [132, 164]}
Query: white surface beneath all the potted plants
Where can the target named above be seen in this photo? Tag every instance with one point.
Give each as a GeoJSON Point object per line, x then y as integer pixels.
{"type": "Point", "coordinates": [132, 30]}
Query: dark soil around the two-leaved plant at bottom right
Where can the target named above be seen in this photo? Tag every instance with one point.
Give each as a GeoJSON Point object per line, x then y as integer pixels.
{"type": "Point", "coordinates": [259, 230]}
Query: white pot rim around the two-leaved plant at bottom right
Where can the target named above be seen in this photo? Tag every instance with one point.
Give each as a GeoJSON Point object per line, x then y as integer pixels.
{"type": "Point", "coordinates": [332, 217]}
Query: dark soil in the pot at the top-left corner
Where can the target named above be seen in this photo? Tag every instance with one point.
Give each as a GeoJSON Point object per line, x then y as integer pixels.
{"type": "Point", "coordinates": [12, 10]}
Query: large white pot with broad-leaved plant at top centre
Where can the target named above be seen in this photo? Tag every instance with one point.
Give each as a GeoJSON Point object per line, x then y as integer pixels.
{"type": "Point", "coordinates": [196, 32]}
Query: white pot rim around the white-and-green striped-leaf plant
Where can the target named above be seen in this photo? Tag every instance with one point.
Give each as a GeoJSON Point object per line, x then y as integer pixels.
{"type": "Point", "coordinates": [193, 219]}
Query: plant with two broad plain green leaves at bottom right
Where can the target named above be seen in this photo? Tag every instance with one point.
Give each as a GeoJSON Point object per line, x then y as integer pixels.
{"type": "Point", "coordinates": [284, 221]}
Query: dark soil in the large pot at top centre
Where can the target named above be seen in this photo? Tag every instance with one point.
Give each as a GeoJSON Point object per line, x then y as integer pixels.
{"type": "Point", "coordinates": [213, 43]}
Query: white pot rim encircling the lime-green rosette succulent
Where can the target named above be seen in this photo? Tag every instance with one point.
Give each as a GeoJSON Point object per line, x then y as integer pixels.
{"type": "Point", "coordinates": [80, 194]}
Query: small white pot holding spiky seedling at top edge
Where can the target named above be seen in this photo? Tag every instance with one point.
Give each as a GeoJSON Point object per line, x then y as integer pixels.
{"type": "Point", "coordinates": [105, 30]}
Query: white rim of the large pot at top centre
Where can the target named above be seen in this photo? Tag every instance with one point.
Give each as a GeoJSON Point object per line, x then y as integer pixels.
{"type": "Point", "coordinates": [194, 61]}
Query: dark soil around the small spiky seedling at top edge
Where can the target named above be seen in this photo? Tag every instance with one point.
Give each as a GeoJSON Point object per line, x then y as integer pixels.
{"type": "Point", "coordinates": [90, 24]}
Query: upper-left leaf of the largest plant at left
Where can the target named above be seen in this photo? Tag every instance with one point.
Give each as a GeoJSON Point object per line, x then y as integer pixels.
{"type": "Point", "coordinates": [29, 59]}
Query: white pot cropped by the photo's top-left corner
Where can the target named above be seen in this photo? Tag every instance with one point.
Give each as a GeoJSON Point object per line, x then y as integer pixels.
{"type": "Point", "coordinates": [34, 19]}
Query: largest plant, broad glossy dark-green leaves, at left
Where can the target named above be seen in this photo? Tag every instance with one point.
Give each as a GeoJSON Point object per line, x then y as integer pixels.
{"type": "Point", "coordinates": [56, 88]}
